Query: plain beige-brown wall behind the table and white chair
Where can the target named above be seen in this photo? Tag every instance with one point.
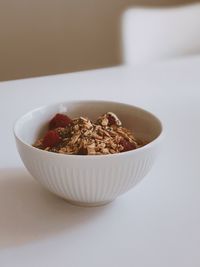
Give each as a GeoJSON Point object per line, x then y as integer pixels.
{"type": "Point", "coordinates": [40, 37]}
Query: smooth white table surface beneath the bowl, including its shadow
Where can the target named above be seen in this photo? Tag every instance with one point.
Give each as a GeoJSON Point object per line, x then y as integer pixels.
{"type": "Point", "coordinates": [157, 224]}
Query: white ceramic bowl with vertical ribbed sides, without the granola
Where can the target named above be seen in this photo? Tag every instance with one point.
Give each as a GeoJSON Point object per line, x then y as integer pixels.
{"type": "Point", "coordinates": [88, 180]}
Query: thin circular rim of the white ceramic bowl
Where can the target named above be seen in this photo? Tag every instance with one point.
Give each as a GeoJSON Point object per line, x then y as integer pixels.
{"type": "Point", "coordinates": [143, 148]}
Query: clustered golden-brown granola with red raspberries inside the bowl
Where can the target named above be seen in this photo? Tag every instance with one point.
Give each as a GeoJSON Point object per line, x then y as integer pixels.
{"type": "Point", "coordinates": [80, 136]}
